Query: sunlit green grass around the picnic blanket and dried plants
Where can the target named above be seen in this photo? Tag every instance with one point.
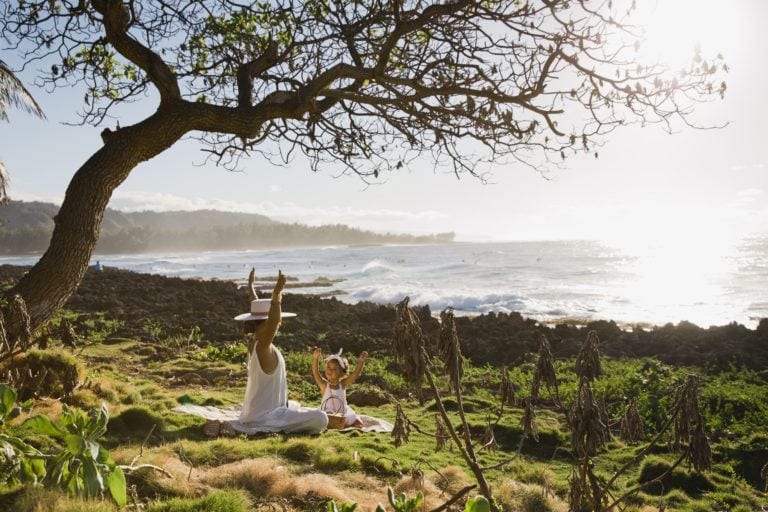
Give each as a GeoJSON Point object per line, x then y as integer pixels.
{"type": "Point", "coordinates": [141, 386]}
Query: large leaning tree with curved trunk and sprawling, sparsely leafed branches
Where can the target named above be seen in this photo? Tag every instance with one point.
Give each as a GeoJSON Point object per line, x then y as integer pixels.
{"type": "Point", "coordinates": [362, 86]}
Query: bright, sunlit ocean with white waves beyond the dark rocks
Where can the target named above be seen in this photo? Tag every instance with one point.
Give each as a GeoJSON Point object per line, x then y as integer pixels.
{"type": "Point", "coordinates": [548, 281]}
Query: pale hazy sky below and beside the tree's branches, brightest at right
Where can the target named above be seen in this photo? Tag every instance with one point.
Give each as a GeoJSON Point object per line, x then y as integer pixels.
{"type": "Point", "coordinates": [646, 184]}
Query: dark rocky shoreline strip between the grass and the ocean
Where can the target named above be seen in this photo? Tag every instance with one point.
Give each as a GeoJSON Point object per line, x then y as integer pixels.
{"type": "Point", "coordinates": [143, 304]}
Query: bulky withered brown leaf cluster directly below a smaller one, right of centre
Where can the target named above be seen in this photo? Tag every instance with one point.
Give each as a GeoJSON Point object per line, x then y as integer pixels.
{"type": "Point", "coordinates": [588, 432]}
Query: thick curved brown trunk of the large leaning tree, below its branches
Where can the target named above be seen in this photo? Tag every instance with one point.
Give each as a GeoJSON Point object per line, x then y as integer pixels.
{"type": "Point", "coordinates": [56, 276]}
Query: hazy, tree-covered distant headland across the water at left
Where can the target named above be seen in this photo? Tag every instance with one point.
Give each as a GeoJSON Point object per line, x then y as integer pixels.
{"type": "Point", "coordinates": [26, 227]}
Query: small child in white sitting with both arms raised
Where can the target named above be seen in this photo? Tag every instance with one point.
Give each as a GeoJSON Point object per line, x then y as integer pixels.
{"type": "Point", "coordinates": [334, 385]}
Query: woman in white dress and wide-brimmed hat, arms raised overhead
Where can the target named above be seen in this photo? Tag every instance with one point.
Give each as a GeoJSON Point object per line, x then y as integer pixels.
{"type": "Point", "coordinates": [266, 407]}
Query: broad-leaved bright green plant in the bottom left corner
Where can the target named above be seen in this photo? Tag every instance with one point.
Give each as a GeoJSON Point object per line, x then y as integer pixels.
{"type": "Point", "coordinates": [84, 466]}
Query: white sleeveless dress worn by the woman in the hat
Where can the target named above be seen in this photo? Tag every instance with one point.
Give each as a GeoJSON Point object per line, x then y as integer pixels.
{"type": "Point", "coordinates": [266, 407]}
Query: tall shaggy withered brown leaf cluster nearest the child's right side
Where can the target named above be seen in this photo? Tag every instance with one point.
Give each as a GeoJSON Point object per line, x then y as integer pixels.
{"type": "Point", "coordinates": [408, 345]}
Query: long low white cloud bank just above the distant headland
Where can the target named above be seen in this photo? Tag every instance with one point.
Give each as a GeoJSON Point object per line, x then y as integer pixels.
{"type": "Point", "coordinates": [131, 201]}
